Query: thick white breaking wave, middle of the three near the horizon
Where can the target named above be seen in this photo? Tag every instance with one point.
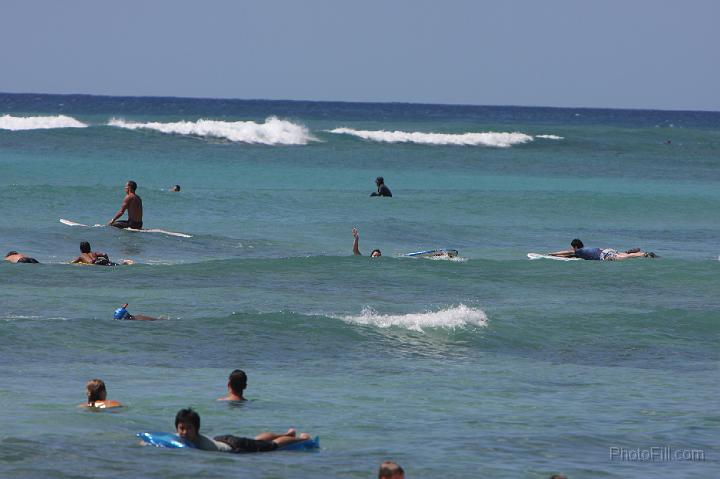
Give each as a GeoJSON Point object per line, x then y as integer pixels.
{"type": "Point", "coordinates": [273, 132]}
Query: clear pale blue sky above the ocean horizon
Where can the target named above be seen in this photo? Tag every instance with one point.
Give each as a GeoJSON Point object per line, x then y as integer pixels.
{"type": "Point", "coordinates": [653, 54]}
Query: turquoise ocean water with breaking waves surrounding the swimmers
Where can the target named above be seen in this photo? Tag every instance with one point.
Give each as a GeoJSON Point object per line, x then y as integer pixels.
{"type": "Point", "coordinates": [492, 365]}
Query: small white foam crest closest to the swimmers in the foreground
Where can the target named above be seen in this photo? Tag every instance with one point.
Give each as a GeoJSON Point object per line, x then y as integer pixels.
{"type": "Point", "coordinates": [454, 317]}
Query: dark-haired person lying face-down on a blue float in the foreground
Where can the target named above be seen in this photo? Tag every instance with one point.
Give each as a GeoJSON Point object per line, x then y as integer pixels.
{"type": "Point", "coordinates": [187, 426]}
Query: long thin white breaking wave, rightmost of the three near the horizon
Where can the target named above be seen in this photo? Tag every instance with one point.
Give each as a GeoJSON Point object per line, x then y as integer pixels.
{"type": "Point", "coordinates": [500, 140]}
